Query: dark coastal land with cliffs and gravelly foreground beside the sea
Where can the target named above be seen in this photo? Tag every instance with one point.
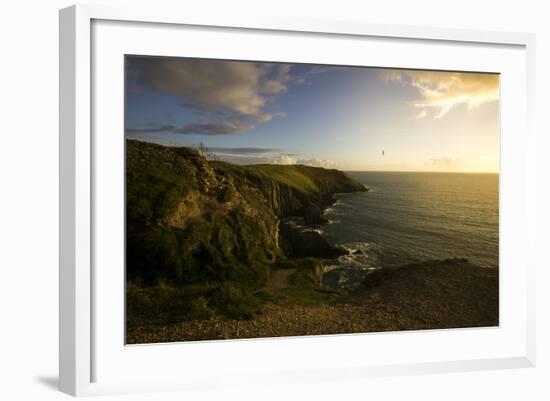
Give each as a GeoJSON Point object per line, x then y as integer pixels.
{"type": "Point", "coordinates": [215, 250]}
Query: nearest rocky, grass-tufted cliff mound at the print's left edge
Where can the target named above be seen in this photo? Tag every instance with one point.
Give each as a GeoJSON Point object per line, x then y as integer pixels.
{"type": "Point", "coordinates": [186, 224]}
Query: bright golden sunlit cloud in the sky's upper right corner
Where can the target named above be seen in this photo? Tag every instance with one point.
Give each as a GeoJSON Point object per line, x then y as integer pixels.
{"type": "Point", "coordinates": [441, 91]}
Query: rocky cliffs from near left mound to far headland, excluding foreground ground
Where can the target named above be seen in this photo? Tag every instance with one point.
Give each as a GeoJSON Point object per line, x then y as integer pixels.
{"type": "Point", "coordinates": [194, 221]}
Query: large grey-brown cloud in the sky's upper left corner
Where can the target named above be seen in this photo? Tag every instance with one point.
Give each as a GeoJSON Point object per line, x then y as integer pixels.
{"type": "Point", "coordinates": [240, 89]}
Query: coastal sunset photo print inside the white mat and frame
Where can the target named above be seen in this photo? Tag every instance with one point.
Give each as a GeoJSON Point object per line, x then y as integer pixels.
{"type": "Point", "coordinates": [270, 199]}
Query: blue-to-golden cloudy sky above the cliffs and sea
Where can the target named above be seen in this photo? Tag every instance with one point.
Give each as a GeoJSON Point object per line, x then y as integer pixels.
{"type": "Point", "coordinates": [349, 118]}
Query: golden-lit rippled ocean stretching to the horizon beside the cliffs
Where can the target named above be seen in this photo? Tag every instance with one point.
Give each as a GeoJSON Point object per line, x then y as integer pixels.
{"type": "Point", "coordinates": [413, 217]}
